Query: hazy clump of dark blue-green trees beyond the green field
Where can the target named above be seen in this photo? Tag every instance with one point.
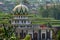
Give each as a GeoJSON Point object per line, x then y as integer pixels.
{"type": "Point", "coordinates": [53, 12]}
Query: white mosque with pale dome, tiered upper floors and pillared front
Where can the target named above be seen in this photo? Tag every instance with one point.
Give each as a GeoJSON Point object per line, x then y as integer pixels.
{"type": "Point", "coordinates": [28, 23]}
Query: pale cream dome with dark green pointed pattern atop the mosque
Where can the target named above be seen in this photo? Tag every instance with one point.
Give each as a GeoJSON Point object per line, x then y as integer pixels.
{"type": "Point", "coordinates": [20, 9]}
